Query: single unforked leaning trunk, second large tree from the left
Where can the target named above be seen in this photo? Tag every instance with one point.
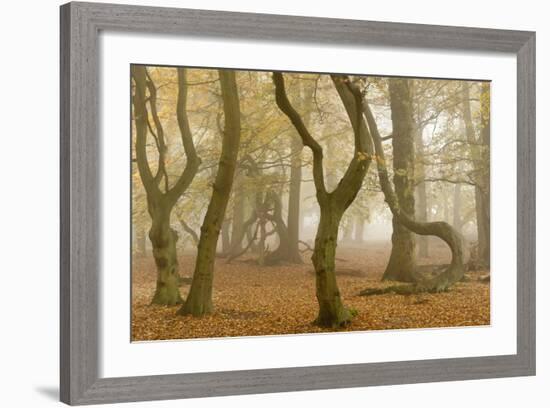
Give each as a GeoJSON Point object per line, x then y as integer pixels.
{"type": "Point", "coordinates": [199, 300]}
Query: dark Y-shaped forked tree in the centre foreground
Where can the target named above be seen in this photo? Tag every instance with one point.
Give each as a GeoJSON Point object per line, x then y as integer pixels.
{"type": "Point", "coordinates": [332, 312]}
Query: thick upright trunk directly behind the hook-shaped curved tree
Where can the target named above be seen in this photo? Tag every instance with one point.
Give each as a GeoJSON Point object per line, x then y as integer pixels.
{"type": "Point", "coordinates": [402, 260]}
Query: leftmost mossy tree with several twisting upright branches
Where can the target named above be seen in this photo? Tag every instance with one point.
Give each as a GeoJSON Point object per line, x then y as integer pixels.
{"type": "Point", "coordinates": [161, 201]}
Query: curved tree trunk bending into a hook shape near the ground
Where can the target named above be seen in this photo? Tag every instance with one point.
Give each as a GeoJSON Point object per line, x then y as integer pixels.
{"type": "Point", "coordinates": [455, 271]}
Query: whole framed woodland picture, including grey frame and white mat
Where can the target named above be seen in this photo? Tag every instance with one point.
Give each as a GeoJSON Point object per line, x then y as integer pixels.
{"type": "Point", "coordinates": [260, 203]}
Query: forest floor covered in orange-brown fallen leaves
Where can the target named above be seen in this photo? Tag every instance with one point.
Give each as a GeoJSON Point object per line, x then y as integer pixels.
{"type": "Point", "coordinates": [250, 300]}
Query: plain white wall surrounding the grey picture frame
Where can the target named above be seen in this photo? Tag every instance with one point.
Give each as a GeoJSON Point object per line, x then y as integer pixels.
{"type": "Point", "coordinates": [29, 202]}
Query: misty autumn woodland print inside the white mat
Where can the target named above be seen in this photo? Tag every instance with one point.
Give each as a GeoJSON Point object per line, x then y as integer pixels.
{"type": "Point", "coordinates": [282, 203]}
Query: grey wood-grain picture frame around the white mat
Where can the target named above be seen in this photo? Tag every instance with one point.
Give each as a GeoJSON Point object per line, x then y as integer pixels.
{"type": "Point", "coordinates": [80, 192]}
